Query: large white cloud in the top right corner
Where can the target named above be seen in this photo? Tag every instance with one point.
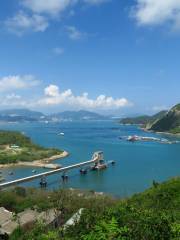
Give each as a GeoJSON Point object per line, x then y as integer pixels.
{"type": "Point", "coordinates": [156, 12]}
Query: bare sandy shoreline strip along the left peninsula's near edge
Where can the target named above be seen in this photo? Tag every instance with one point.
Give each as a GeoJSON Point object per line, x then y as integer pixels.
{"type": "Point", "coordinates": [36, 163]}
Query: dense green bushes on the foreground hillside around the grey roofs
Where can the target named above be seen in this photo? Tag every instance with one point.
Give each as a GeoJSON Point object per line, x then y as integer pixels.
{"type": "Point", "coordinates": [152, 215]}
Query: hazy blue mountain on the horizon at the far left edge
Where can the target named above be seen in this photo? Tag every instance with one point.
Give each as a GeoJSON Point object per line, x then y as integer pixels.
{"type": "Point", "coordinates": [20, 115]}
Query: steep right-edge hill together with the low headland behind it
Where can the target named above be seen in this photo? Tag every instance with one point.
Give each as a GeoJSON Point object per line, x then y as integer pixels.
{"type": "Point", "coordinates": [164, 121]}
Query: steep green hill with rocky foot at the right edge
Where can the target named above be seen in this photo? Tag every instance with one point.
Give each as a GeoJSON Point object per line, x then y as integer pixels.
{"type": "Point", "coordinates": [168, 123]}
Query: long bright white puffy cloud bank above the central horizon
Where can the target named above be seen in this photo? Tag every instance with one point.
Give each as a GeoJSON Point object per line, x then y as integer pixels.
{"type": "Point", "coordinates": [53, 96]}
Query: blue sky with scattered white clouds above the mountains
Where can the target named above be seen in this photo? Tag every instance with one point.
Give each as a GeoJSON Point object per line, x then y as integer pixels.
{"type": "Point", "coordinates": [107, 56]}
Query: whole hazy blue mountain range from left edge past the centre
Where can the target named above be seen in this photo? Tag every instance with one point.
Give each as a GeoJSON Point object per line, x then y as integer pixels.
{"type": "Point", "coordinates": [26, 115]}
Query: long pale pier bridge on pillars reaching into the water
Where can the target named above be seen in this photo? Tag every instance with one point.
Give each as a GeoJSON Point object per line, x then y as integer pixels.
{"type": "Point", "coordinates": [97, 158]}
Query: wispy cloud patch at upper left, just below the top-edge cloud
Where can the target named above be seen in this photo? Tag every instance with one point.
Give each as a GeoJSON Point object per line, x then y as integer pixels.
{"type": "Point", "coordinates": [22, 22]}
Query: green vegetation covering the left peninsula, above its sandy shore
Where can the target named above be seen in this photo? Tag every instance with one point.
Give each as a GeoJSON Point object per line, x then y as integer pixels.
{"type": "Point", "coordinates": [26, 150]}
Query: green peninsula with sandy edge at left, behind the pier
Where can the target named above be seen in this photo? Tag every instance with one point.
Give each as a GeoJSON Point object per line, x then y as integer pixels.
{"type": "Point", "coordinates": [18, 149]}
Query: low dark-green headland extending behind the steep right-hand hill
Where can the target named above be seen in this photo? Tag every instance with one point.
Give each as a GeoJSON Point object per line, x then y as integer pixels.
{"type": "Point", "coordinates": [144, 119]}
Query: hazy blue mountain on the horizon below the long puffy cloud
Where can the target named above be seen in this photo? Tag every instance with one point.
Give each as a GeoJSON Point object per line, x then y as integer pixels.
{"type": "Point", "coordinates": [77, 116]}
